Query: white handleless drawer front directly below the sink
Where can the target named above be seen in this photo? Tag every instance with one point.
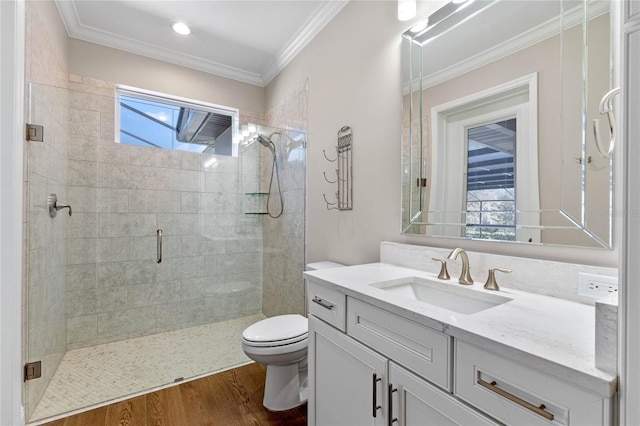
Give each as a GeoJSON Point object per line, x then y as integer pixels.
{"type": "Point", "coordinates": [424, 351]}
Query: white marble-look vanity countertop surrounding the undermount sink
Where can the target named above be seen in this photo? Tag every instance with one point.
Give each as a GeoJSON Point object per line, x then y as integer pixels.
{"type": "Point", "coordinates": [554, 335]}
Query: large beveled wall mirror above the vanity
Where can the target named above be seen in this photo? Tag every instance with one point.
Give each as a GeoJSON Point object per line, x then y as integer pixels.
{"type": "Point", "coordinates": [499, 102]}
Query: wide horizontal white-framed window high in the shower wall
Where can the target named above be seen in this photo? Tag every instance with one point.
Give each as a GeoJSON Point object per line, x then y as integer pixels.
{"type": "Point", "coordinates": [161, 121]}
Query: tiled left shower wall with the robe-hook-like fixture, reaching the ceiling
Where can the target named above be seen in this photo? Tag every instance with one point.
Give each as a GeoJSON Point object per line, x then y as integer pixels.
{"type": "Point", "coordinates": [45, 238]}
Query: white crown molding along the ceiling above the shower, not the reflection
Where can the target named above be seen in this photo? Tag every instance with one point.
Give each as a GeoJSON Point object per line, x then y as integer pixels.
{"type": "Point", "coordinates": [76, 29]}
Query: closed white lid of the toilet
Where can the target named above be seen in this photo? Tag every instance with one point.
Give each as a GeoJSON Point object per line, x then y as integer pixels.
{"type": "Point", "coordinates": [278, 328]}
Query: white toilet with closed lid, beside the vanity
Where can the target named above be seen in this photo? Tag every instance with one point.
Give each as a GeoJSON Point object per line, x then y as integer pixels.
{"type": "Point", "coordinates": [281, 343]}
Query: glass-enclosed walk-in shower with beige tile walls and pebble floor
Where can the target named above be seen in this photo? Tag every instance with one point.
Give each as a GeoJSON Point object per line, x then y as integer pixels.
{"type": "Point", "coordinates": [113, 306]}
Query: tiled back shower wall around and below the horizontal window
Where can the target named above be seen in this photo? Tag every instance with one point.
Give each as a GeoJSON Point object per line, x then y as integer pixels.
{"type": "Point", "coordinates": [211, 266]}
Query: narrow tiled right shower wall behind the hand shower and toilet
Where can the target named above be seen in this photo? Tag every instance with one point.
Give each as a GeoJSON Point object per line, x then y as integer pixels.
{"type": "Point", "coordinates": [284, 242]}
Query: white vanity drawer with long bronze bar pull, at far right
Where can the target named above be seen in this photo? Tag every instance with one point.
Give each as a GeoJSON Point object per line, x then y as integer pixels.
{"type": "Point", "coordinates": [515, 393]}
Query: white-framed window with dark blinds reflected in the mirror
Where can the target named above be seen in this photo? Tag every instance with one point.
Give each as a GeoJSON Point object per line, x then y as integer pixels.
{"type": "Point", "coordinates": [485, 190]}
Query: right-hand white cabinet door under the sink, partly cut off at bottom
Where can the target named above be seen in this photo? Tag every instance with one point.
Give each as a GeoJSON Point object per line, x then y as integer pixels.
{"type": "Point", "coordinates": [415, 402]}
